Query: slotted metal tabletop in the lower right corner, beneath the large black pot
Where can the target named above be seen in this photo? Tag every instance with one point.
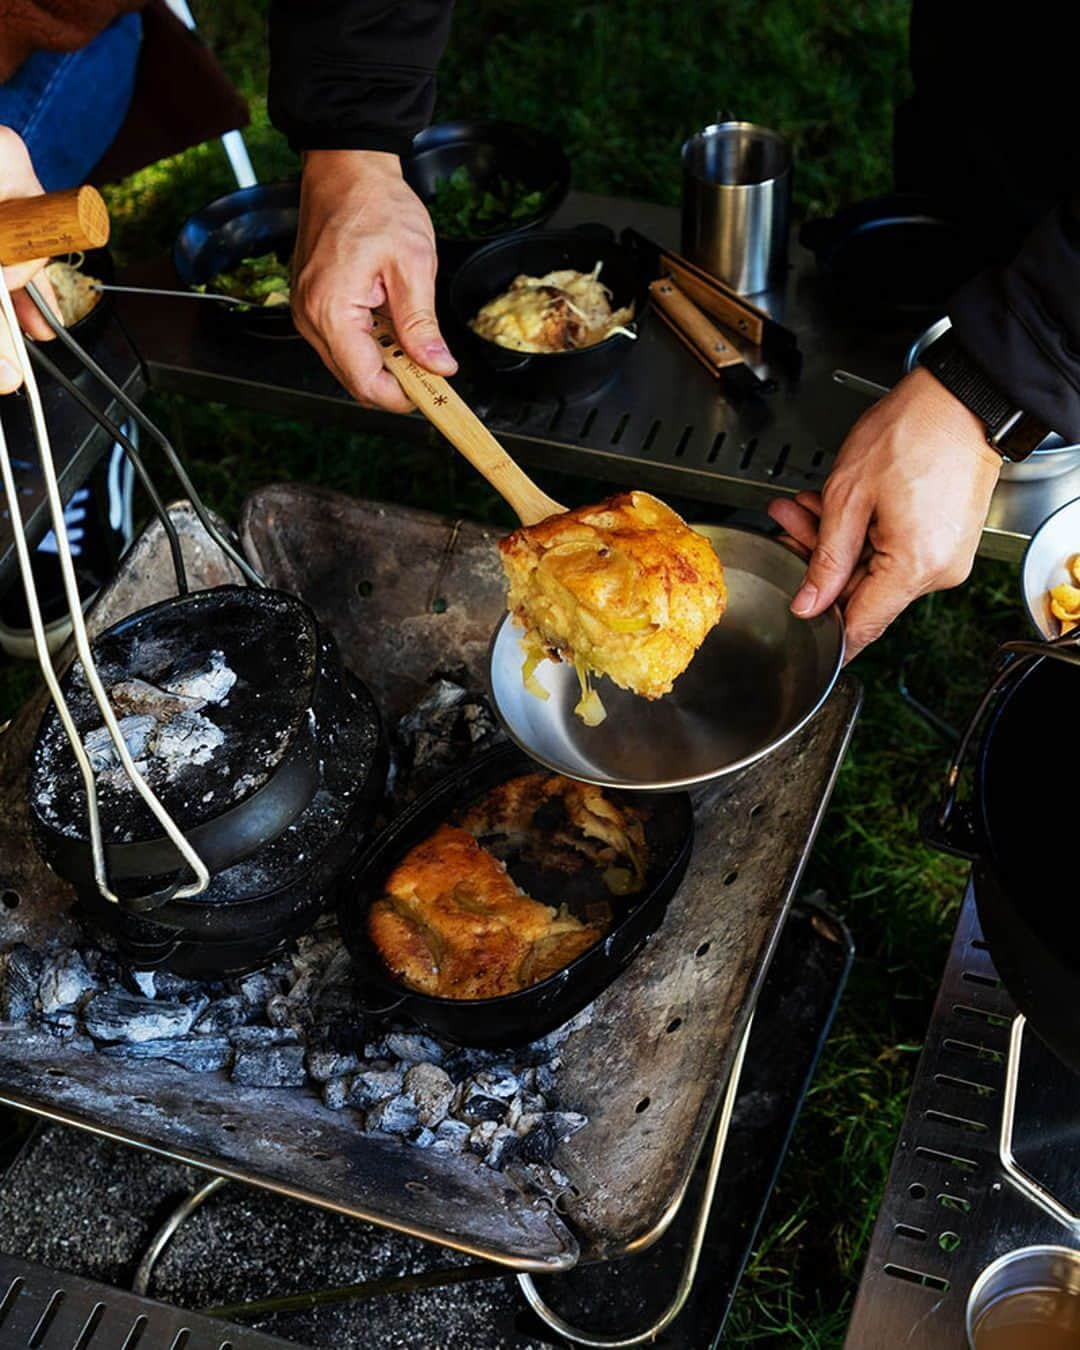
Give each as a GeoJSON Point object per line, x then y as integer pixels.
{"type": "Point", "coordinates": [948, 1208]}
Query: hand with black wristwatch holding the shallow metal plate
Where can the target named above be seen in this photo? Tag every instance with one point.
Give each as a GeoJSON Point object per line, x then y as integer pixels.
{"type": "Point", "coordinates": [901, 512]}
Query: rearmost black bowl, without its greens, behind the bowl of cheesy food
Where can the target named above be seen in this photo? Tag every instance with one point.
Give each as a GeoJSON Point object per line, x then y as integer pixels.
{"type": "Point", "coordinates": [491, 151]}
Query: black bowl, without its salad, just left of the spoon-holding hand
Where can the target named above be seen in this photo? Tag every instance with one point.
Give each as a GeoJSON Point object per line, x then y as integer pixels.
{"type": "Point", "coordinates": [241, 225]}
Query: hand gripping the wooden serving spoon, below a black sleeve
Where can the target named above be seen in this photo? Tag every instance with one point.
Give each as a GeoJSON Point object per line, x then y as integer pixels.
{"type": "Point", "coordinates": [365, 241]}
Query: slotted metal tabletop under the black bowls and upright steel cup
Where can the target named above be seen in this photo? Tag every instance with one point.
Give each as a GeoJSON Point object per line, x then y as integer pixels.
{"type": "Point", "coordinates": [662, 425]}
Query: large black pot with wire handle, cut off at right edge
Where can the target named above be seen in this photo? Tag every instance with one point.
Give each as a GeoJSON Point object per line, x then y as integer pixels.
{"type": "Point", "coordinates": [1017, 828]}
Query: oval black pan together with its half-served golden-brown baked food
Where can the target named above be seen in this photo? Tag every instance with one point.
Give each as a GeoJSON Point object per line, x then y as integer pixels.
{"type": "Point", "coordinates": [507, 898]}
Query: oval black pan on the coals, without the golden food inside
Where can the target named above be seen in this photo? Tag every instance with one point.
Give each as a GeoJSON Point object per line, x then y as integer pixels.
{"type": "Point", "coordinates": [527, 1015]}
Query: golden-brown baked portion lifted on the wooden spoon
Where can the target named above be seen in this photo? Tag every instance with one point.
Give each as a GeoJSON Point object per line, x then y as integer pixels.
{"type": "Point", "coordinates": [624, 588]}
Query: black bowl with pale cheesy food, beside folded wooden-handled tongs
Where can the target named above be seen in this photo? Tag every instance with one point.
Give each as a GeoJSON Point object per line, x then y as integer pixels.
{"type": "Point", "coordinates": [553, 313]}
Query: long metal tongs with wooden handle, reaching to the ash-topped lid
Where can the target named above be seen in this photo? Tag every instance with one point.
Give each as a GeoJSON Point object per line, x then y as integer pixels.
{"type": "Point", "coordinates": [38, 227]}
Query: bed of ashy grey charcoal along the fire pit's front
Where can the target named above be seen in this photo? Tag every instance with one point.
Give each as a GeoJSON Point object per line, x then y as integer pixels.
{"type": "Point", "coordinates": [295, 1027]}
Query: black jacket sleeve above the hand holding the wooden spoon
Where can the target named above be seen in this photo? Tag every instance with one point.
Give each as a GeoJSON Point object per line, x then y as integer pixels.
{"type": "Point", "coordinates": [354, 75]}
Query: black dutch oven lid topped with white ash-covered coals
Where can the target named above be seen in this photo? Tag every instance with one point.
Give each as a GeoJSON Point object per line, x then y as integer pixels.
{"type": "Point", "coordinates": [214, 691]}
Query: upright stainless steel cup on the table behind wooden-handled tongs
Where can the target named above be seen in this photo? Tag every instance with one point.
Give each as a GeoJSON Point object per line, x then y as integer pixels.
{"type": "Point", "coordinates": [738, 205]}
